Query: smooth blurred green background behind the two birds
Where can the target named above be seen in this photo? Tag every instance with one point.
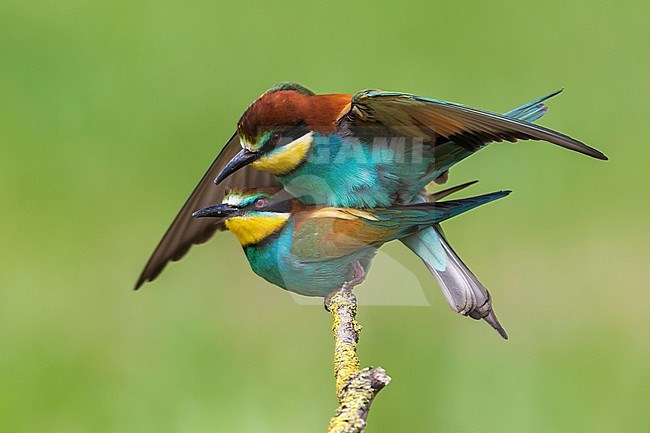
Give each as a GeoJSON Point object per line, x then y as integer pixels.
{"type": "Point", "coordinates": [110, 113]}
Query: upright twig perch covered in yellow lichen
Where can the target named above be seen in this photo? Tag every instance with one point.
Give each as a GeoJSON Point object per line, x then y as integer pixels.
{"type": "Point", "coordinates": [355, 388]}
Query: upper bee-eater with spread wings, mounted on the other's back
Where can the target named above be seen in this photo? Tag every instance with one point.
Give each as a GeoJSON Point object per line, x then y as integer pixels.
{"type": "Point", "coordinates": [365, 150]}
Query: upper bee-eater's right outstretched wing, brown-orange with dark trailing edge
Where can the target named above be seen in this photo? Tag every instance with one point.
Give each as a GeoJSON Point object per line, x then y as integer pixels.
{"type": "Point", "coordinates": [430, 119]}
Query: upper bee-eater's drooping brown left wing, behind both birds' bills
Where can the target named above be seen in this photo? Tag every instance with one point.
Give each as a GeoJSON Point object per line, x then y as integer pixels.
{"type": "Point", "coordinates": [186, 231]}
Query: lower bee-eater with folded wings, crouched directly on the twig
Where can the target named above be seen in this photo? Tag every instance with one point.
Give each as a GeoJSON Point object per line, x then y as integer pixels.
{"type": "Point", "coordinates": [313, 250]}
